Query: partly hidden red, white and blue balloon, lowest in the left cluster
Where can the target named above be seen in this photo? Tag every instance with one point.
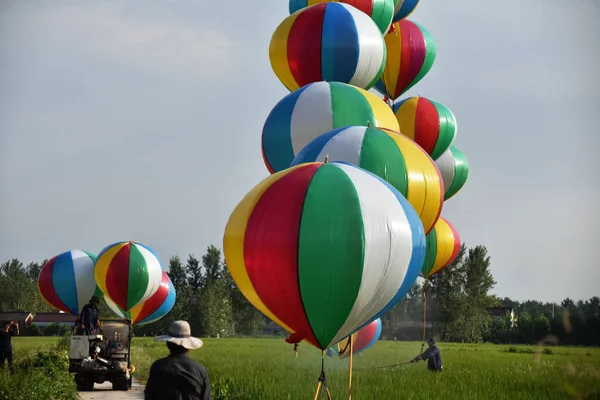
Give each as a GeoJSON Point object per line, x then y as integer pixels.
{"type": "Point", "coordinates": [152, 309]}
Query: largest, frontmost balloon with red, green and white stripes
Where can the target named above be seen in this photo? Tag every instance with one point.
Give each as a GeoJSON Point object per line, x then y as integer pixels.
{"type": "Point", "coordinates": [324, 249]}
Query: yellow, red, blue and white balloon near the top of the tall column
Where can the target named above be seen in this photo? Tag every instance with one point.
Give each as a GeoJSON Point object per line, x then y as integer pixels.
{"type": "Point", "coordinates": [327, 42]}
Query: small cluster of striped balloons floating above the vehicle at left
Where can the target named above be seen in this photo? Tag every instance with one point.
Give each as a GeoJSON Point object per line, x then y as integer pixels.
{"type": "Point", "coordinates": [128, 275]}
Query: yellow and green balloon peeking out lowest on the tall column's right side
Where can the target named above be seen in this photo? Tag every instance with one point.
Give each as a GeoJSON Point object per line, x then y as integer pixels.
{"type": "Point", "coordinates": [443, 244]}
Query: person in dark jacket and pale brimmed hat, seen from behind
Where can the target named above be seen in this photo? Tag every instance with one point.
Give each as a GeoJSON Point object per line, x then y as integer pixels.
{"type": "Point", "coordinates": [178, 377]}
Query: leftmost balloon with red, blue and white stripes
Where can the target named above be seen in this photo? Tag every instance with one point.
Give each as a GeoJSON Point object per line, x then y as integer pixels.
{"type": "Point", "coordinates": [66, 281]}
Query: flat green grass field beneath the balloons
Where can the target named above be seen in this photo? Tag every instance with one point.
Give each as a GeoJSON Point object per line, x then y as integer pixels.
{"type": "Point", "coordinates": [267, 369]}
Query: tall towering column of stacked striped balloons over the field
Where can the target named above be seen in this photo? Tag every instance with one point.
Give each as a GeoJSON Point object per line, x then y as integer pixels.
{"type": "Point", "coordinates": [350, 216]}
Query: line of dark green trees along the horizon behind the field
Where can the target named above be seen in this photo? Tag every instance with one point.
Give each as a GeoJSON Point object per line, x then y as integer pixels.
{"type": "Point", "coordinates": [456, 302]}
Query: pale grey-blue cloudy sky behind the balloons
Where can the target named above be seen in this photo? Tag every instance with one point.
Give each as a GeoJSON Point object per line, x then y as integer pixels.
{"type": "Point", "coordinates": [130, 120]}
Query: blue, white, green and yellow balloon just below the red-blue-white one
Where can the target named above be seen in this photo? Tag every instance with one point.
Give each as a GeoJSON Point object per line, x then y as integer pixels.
{"type": "Point", "coordinates": [313, 110]}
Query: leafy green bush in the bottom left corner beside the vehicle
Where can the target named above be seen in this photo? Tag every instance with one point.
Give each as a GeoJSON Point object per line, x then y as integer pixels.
{"type": "Point", "coordinates": [41, 375]}
